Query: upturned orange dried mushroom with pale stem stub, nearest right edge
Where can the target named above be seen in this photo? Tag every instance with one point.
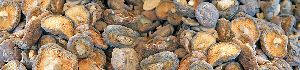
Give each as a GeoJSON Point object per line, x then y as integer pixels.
{"type": "Point", "coordinates": [274, 44]}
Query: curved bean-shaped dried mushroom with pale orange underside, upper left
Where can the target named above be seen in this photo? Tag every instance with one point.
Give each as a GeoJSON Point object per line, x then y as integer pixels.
{"type": "Point", "coordinates": [58, 25]}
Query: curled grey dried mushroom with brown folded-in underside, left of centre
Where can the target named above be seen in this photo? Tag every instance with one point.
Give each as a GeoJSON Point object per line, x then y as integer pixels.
{"type": "Point", "coordinates": [119, 36]}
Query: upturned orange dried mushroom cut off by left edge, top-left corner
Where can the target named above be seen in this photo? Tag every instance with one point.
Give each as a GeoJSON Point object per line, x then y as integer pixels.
{"type": "Point", "coordinates": [9, 15]}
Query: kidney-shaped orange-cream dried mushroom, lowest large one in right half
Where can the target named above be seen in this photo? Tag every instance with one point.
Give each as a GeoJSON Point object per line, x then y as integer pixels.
{"type": "Point", "coordinates": [222, 52]}
